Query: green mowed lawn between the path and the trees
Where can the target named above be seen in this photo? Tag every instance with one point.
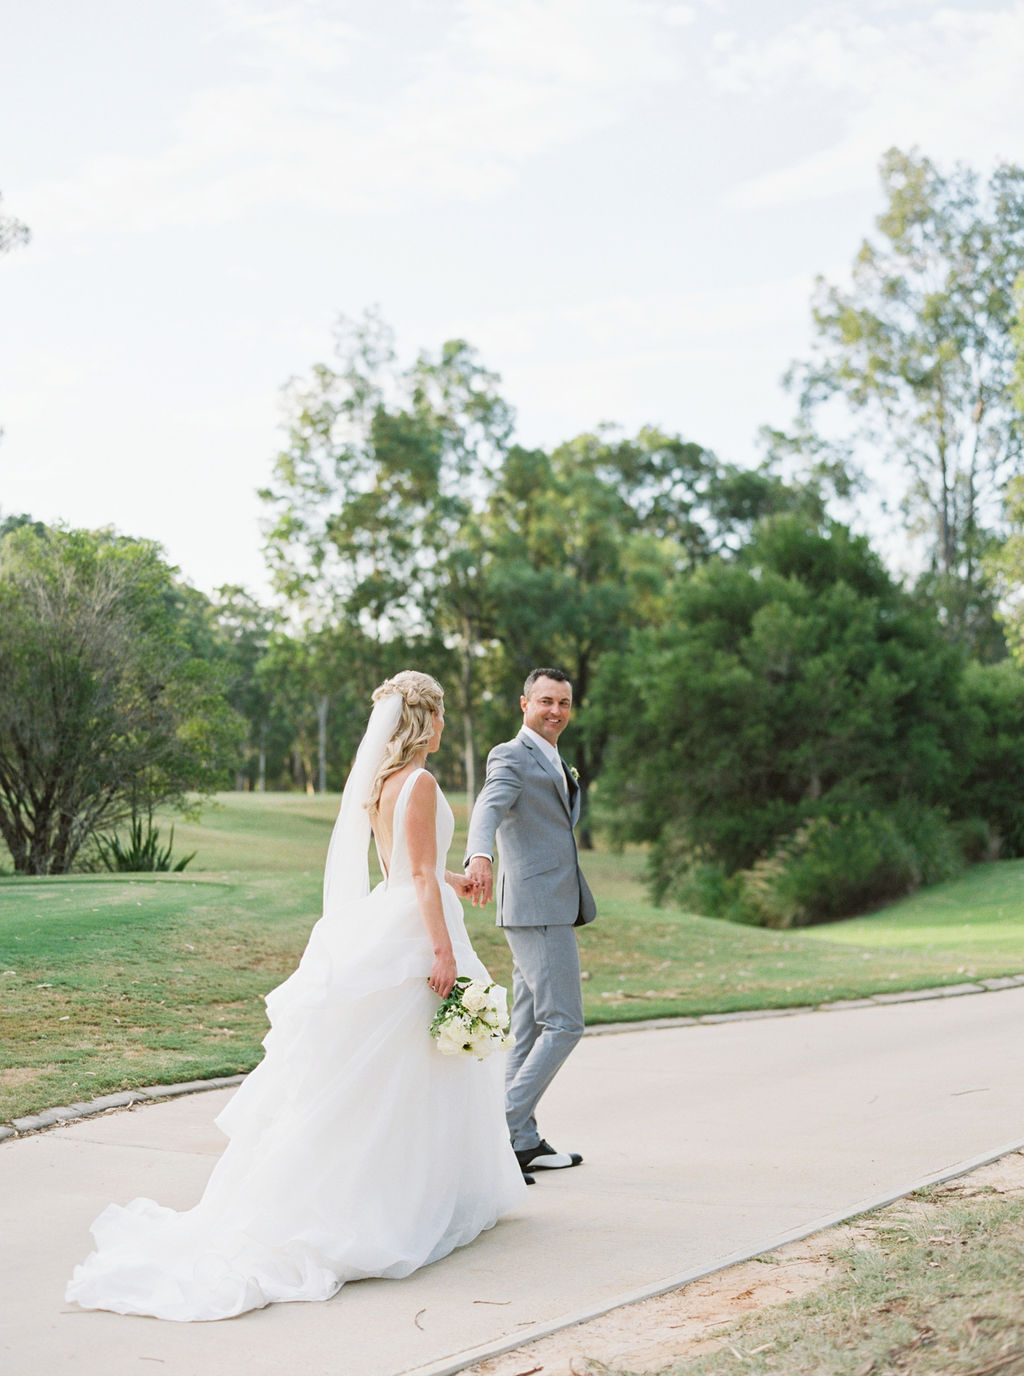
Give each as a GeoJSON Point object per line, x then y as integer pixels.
{"type": "Point", "coordinates": [111, 982]}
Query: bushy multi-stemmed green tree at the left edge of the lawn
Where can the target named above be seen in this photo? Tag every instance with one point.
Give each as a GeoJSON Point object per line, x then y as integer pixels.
{"type": "Point", "coordinates": [108, 705]}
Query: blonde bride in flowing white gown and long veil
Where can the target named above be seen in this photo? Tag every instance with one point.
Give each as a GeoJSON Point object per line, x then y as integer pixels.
{"type": "Point", "coordinates": [356, 1148]}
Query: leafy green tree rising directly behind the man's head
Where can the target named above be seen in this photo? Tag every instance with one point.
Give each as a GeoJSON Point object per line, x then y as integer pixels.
{"type": "Point", "coordinates": [583, 543]}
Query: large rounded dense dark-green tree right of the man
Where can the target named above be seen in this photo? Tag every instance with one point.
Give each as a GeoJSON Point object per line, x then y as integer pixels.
{"type": "Point", "coordinates": [793, 694]}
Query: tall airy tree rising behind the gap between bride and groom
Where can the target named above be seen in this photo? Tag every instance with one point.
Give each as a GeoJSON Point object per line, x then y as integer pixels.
{"type": "Point", "coordinates": [376, 492]}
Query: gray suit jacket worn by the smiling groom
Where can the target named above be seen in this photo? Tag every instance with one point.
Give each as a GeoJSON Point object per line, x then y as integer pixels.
{"type": "Point", "coordinates": [524, 807]}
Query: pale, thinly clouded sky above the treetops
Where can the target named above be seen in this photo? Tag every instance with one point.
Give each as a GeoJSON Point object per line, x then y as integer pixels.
{"type": "Point", "coordinates": [621, 204]}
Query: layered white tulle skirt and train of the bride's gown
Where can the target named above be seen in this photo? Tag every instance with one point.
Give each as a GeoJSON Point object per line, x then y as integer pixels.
{"type": "Point", "coordinates": [356, 1148]}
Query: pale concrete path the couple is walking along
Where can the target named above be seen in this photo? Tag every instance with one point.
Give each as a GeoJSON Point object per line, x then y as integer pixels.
{"type": "Point", "coordinates": [703, 1146]}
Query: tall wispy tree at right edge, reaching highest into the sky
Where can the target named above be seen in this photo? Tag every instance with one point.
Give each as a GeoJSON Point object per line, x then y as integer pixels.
{"type": "Point", "coordinates": [920, 347]}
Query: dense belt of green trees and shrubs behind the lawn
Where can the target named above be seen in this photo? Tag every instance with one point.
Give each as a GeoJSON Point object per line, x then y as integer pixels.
{"type": "Point", "coordinates": [793, 731]}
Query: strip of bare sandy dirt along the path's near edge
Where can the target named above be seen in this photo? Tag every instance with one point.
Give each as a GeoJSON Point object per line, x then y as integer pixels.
{"type": "Point", "coordinates": [652, 1335]}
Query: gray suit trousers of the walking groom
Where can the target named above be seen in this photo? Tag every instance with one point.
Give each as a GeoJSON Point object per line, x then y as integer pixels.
{"type": "Point", "coordinates": [547, 1020]}
